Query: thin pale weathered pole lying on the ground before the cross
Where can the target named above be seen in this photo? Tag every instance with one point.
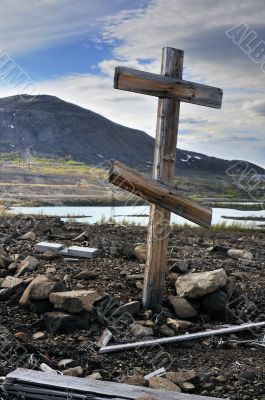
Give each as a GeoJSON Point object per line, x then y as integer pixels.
{"type": "Point", "coordinates": [182, 338]}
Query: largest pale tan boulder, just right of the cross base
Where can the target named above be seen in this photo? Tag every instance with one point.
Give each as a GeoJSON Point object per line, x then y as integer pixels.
{"type": "Point", "coordinates": [200, 283]}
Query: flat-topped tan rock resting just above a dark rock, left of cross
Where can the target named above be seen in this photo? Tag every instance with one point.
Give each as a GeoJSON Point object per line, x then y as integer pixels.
{"type": "Point", "coordinates": [75, 301]}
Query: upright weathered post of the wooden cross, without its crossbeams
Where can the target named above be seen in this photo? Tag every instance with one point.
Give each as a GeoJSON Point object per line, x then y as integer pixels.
{"type": "Point", "coordinates": [163, 171]}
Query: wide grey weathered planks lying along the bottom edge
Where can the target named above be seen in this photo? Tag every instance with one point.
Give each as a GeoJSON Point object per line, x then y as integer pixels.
{"type": "Point", "coordinates": [36, 383]}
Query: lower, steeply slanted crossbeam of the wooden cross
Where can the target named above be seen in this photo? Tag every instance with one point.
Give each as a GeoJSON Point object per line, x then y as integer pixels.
{"type": "Point", "coordinates": [159, 194]}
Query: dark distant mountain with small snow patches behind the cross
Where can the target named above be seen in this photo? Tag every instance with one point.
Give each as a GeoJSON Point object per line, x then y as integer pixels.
{"type": "Point", "coordinates": [50, 126]}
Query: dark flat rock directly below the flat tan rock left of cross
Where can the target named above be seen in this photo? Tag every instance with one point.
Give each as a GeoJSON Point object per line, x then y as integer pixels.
{"type": "Point", "coordinates": [62, 322]}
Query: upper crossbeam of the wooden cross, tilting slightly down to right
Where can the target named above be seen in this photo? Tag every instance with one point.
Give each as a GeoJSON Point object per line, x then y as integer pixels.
{"type": "Point", "coordinates": [143, 82]}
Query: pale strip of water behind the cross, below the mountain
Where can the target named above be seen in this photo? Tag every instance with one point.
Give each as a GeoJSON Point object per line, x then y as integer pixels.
{"type": "Point", "coordinates": [92, 215]}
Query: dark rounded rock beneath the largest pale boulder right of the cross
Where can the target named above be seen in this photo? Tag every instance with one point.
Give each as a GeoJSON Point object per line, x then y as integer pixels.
{"type": "Point", "coordinates": [216, 305]}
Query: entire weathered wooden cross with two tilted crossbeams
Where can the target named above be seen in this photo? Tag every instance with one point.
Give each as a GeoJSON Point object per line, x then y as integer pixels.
{"type": "Point", "coordinates": [171, 89]}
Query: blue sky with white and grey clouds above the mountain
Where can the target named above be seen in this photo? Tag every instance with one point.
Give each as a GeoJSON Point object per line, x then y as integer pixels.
{"type": "Point", "coordinates": [69, 48]}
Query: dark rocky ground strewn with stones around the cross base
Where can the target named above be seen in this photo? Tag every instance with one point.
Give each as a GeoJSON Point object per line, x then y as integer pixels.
{"type": "Point", "coordinates": [33, 330]}
